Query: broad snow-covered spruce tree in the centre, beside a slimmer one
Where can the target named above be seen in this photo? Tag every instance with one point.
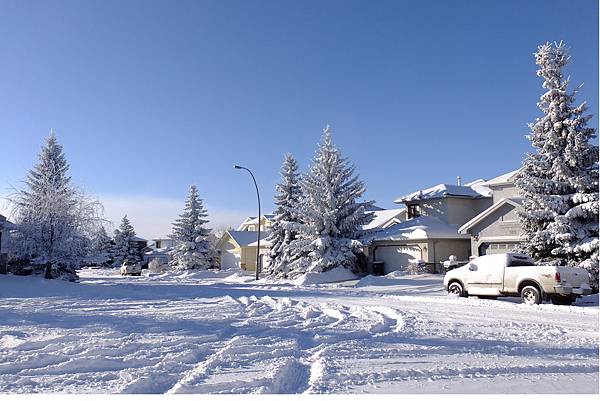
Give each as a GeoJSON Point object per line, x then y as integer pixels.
{"type": "Point", "coordinates": [329, 214]}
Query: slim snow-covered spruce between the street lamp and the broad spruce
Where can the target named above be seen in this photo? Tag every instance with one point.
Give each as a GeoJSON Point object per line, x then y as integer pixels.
{"type": "Point", "coordinates": [286, 201]}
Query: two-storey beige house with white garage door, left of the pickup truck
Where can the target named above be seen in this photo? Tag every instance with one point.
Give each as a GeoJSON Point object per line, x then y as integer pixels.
{"type": "Point", "coordinates": [429, 232]}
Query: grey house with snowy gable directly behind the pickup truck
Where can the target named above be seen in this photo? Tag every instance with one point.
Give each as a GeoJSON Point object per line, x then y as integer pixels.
{"type": "Point", "coordinates": [497, 228]}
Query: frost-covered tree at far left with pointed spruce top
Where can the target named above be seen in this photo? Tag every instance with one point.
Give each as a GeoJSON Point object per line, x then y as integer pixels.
{"type": "Point", "coordinates": [55, 221]}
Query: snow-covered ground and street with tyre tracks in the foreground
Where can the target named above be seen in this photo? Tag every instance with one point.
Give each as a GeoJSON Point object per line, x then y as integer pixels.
{"type": "Point", "coordinates": [224, 333]}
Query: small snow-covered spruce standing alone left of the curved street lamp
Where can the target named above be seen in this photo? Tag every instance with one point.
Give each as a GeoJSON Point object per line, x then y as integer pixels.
{"type": "Point", "coordinates": [193, 247]}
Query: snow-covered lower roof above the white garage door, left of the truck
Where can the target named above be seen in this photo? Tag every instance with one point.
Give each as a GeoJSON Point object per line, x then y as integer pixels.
{"type": "Point", "coordinates": [422, 227]}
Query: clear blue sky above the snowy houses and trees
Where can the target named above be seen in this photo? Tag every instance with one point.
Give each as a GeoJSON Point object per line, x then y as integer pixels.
{"type": "Point", "coordinates": [148, 97]}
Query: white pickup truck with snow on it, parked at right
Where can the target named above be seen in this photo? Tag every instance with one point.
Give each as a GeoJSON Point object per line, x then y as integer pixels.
{"type": "Point", "coordinates": [513, 274]}
